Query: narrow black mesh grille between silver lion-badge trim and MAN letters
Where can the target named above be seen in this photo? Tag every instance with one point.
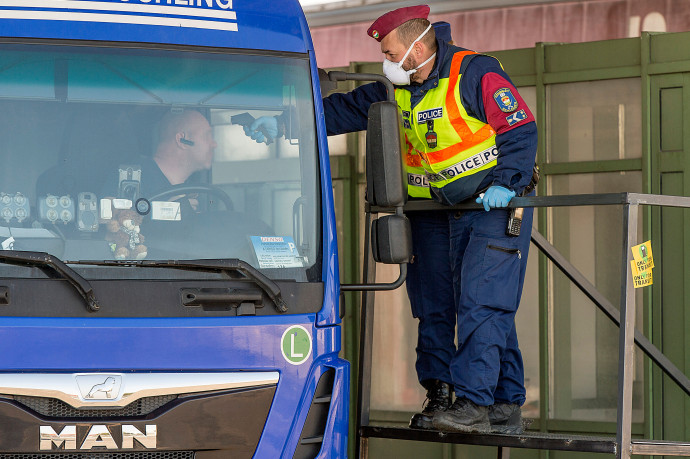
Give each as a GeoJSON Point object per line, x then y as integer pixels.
{"type": "Point", "coordinates": [54, 408]}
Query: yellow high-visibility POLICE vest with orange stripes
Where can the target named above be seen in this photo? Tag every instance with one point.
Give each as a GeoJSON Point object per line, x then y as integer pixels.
{"type": "Point", "coordinates": [444, 143]}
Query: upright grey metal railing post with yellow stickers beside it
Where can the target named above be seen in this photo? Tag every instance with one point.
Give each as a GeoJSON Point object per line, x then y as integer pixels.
{"type": "Point", "coordinates": [626, 343]}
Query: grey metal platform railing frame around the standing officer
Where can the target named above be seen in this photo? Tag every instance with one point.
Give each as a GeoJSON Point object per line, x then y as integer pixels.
{"type": "Point", "coordinates": [623, 445]}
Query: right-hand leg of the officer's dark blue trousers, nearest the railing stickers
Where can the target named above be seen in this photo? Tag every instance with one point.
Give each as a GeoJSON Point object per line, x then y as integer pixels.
{"type": "Point", "coordinates": [488, 274]}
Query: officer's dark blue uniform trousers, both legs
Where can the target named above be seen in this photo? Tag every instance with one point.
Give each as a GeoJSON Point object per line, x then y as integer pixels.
{"type": "Point", "coordinates": [465, 266]}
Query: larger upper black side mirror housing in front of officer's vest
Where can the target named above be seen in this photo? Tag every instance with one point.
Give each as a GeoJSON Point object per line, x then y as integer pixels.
{"type": "Point", "coordinates": [386, 186]}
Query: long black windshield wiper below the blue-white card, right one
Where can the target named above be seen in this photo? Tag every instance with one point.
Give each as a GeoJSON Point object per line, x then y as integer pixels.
{"type": "Point", "coordinates": [214, 265]}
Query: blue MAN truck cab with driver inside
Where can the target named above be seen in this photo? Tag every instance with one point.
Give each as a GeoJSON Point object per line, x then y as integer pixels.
{"type": "Point", "coordinates": [150, 310]}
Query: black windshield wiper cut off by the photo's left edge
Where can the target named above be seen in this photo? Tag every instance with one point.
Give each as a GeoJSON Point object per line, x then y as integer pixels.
{"type": "Point", "coordinates": [46, 260]}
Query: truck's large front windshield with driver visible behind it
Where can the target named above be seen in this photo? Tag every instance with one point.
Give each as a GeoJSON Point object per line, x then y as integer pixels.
{"type": "Point", "coordinates": [131, 154]}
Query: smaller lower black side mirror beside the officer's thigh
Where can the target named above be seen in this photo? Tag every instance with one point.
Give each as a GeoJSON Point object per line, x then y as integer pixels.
{"type": "Point", "coordinates": [391, 239]}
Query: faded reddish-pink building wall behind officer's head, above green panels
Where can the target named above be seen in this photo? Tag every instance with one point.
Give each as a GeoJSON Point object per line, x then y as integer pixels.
{"type": "Point", "coordinates": [518, 27]}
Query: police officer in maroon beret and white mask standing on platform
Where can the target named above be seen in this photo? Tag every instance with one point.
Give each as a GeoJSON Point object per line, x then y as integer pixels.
{"type": "Point", "coordinates": [471, 136]}
